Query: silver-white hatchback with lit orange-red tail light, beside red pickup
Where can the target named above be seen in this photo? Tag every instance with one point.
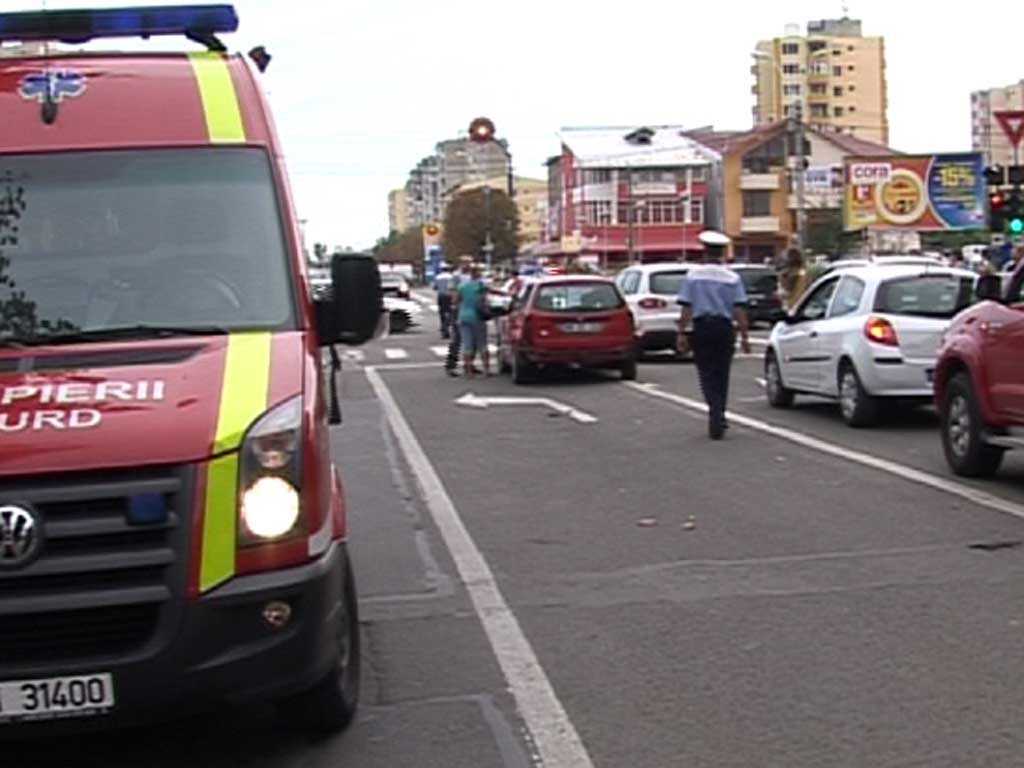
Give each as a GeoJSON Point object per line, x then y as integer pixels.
{"type": "Point", "coordinates": [865, 333]}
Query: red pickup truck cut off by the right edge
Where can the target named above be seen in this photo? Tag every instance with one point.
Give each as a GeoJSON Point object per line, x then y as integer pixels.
{"type": "Point", "coordinates": [979, 378]}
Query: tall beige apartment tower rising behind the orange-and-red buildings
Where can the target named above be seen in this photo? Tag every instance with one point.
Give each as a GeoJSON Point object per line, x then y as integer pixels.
{"type": "Point", "coordinates": [833, 76]}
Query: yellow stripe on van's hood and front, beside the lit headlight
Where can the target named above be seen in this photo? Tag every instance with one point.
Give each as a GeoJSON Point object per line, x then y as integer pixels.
{"type": "Point", "coordinates": [243, 400]}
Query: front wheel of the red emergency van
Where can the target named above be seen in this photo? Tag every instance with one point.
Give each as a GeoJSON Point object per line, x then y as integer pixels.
{"type": "Point", "coordinates": [330, 706]}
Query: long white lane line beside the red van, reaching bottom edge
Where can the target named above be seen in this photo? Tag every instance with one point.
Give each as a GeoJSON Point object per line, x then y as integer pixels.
{"type": "Point", "coordinates": [553, 734]}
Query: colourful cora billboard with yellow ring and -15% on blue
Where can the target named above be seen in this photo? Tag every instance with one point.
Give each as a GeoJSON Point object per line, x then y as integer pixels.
{"type": "Point", "coordinates": [924, 193]}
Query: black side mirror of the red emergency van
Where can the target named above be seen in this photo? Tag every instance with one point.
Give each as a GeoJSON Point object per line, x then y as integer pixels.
{"type": "Point", "coordinates": [354, 312]}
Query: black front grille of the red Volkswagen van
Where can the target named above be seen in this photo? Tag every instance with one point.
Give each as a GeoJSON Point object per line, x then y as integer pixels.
{"type": "Point", "coordinates": [109, 571]}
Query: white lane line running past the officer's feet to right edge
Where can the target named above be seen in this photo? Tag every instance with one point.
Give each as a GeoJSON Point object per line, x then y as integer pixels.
{"type": "Point", "coordinates": [885, 465]}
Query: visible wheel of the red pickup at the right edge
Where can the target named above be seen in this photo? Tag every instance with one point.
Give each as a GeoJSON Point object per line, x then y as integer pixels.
{"type": "Point", "coordinates": [963, 433]}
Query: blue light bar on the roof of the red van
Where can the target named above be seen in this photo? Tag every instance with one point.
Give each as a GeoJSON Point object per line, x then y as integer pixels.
{"type": "Point", "coordinates": [200, 23]}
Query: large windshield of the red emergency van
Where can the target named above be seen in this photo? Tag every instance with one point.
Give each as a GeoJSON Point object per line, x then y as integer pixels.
{"type": "Point", "coordinates": [189, 238]}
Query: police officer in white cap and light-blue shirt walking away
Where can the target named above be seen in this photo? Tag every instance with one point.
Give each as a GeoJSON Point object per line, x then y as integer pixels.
{"type": "Point", "coordinates": [713, 298]}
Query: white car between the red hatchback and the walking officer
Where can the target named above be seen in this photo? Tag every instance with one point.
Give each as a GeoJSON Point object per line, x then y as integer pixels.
{"type": "Point", "coordinates": [652, 292]}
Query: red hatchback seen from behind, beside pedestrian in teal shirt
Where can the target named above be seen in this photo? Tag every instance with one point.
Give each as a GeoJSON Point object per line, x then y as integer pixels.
{"type": "Point", "coordinates": [568, 321]}
